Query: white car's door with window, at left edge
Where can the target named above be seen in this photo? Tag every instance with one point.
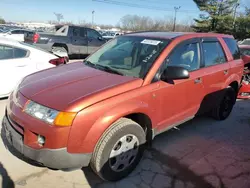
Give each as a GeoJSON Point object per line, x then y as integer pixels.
{"type": "Point", "coordinates": [14, 65]}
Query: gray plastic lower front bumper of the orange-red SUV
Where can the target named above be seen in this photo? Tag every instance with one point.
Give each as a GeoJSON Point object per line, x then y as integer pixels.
{"type": "Point", "coordinates": [52, 158]}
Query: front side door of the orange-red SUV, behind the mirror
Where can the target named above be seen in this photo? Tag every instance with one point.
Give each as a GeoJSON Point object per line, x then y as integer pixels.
{"type": "Point", "coordinates": [180, 99]}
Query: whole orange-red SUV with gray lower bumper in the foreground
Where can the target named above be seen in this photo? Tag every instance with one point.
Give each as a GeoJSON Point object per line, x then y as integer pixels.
{"type": "Point", "coordinates": [104, 111]}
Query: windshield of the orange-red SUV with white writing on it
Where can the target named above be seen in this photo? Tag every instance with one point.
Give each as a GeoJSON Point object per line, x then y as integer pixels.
{"type": "Point", "coordinates": [129, 55]}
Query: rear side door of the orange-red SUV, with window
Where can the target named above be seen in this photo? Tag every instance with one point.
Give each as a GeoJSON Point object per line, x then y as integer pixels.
{"type": "Point", "coordinates": [215, 70]}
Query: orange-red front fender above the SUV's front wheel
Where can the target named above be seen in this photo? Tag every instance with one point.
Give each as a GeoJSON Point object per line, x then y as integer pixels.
{"type": "Point", "coordinates": [91, 123]}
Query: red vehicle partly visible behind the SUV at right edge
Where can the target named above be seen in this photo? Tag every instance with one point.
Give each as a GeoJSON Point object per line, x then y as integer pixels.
{"type": "Point", "coordinates": [244, 92]}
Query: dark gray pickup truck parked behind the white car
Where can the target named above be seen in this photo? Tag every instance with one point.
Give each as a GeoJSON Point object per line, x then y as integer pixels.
{"type": "Point", "coordinates": [71, 39]}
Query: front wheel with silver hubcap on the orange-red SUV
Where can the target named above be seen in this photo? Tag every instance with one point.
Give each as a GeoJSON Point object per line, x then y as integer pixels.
{"type": "Point", "coordinates": [119, 150]}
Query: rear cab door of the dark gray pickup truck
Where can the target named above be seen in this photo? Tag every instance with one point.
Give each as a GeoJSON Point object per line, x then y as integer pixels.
{"type": "Point", "coordinates": [79, 41]}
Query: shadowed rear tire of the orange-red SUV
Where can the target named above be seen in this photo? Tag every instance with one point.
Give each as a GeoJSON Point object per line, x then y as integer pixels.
{"type": "Point", "coordinates": [224, 108]}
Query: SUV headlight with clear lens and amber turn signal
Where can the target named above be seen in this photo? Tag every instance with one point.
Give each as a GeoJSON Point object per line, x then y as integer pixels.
{"type": "Point", "coordinates": [49, 115]}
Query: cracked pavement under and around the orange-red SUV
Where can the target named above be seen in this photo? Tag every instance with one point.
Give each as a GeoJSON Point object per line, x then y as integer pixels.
{"type": "Point", "coordinates": [203, 153]}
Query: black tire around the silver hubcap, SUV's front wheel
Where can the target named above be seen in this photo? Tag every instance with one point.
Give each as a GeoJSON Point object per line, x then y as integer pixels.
{"type": "Point", "coordinates": [101, 161]}
